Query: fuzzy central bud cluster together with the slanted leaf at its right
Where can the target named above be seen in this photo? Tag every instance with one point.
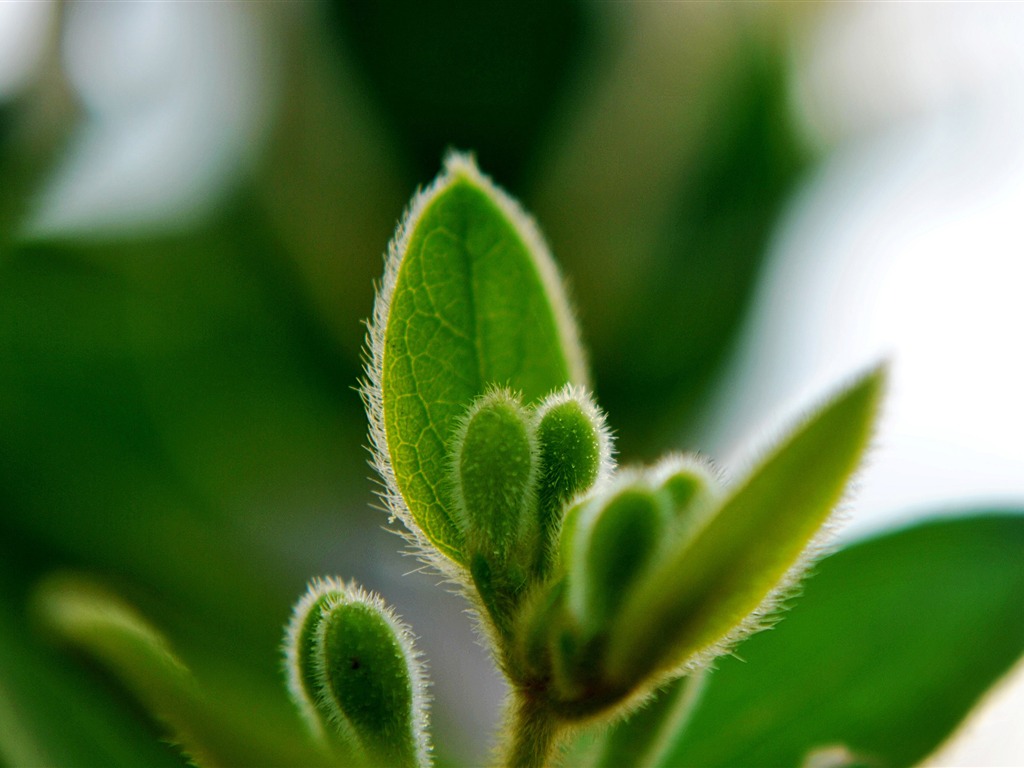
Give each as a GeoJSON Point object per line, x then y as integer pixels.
{"type": "Point", "coordinates": [602, 587]}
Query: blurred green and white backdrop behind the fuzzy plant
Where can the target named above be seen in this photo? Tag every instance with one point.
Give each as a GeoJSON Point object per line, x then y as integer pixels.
{"type": "Point", "coordinates": [750, 203]}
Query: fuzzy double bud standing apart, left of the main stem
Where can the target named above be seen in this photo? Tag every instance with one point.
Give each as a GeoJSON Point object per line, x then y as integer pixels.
{"type": "Point", "coordinates": [355, 675]}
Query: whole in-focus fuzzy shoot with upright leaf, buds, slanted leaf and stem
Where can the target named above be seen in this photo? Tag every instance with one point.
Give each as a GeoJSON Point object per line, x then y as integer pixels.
{"type": "Point", "coordinates": [595, 585]}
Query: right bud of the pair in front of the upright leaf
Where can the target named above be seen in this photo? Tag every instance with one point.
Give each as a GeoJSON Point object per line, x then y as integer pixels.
{"type": "Point", "coordinates": [576, 453]}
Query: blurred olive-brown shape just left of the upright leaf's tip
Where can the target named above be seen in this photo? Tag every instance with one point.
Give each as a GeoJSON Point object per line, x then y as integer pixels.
{"type": "Point", "coordinates": [330, 178]}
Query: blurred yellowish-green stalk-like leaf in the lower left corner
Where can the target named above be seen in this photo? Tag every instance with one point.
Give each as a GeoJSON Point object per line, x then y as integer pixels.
{"type": "Point", "coordinates": [86, 616]}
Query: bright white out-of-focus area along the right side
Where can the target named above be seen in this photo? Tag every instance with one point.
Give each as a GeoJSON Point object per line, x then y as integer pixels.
{"type": "Point", "coordinates": [908, 244]}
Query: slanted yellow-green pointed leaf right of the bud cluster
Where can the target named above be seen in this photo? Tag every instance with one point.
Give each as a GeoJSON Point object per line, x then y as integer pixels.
{"type": "Point", "coordinates": [708, 593]}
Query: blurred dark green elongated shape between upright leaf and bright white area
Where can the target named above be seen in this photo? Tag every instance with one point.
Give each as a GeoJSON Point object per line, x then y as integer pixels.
{"type": "Point", "coordinates": [708, 262]}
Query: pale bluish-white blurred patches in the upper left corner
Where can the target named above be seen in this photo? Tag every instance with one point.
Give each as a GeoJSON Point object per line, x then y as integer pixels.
{"type": "Point", "coordinates": [175, 99]}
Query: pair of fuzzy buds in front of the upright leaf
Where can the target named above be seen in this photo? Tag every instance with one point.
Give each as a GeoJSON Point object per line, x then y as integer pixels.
{"type": "Point", "coordinates": [515, 470]}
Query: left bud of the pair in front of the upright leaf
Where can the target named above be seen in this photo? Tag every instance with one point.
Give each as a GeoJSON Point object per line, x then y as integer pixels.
{"type": "Point", "coordinates": [495, 463]}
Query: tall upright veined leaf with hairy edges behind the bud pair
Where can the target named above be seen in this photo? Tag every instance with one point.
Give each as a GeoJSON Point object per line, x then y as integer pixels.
{"type": "Point", "coordinates": [471, 301]}
